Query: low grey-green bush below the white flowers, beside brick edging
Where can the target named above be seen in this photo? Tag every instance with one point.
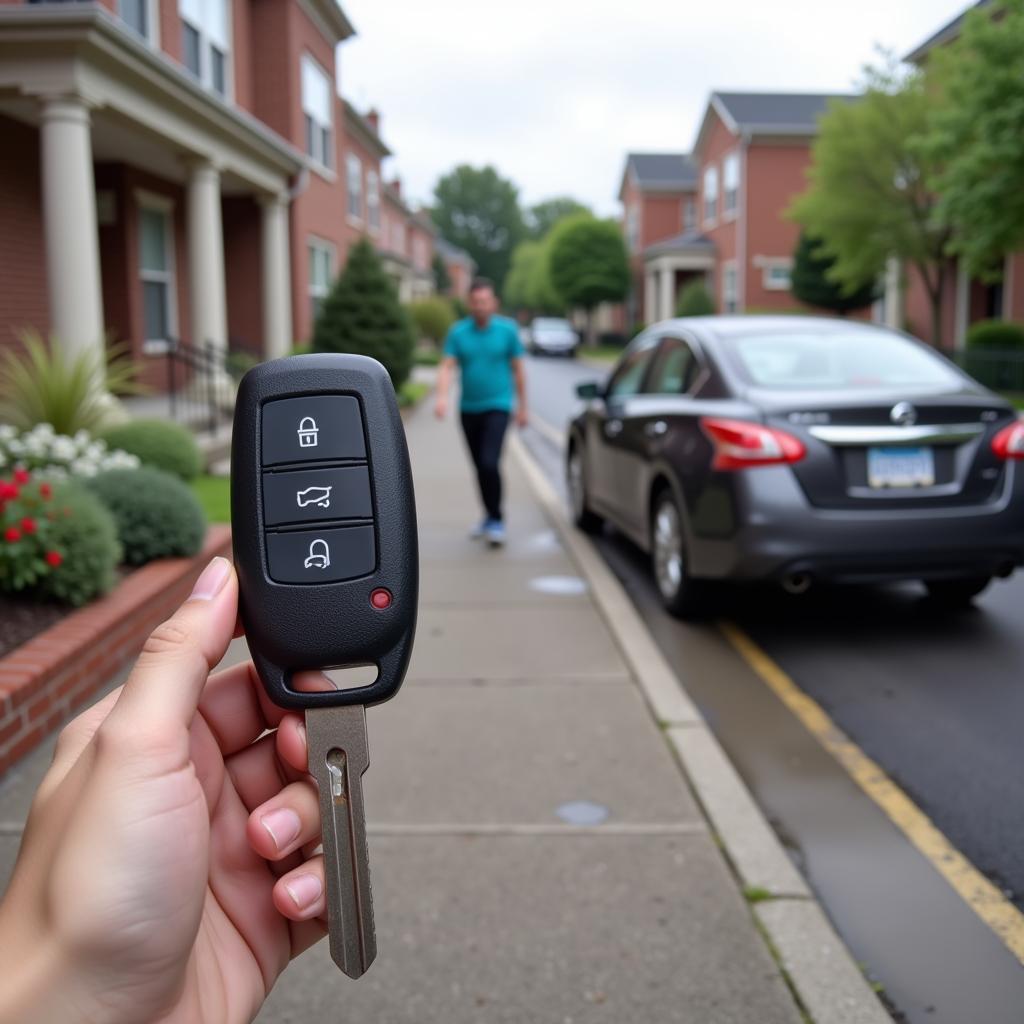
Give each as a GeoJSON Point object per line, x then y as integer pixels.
{"type": "Point", "coordinates": [157, 516]}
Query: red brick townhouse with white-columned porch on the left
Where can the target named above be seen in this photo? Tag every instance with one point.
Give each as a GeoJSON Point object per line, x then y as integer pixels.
{"type": "Point", "coordinates": [179, 168]}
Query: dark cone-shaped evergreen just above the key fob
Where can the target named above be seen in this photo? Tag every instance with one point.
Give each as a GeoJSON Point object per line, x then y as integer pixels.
{"type": "Point", "coordinates": [362, 314]}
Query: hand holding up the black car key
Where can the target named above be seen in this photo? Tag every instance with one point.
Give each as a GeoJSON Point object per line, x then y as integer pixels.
{"type": "Point", "coordinates": [166, 872]}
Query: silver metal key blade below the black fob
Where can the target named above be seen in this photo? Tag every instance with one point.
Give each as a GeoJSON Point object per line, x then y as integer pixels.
{"type": "Point", "coordinates": [338, 757]}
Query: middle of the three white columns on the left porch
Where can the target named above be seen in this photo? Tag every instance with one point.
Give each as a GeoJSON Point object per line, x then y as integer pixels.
{"type": "Point", "coordinates": [206, 258]}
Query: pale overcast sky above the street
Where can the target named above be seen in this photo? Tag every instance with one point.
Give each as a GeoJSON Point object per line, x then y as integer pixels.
{"type": "Point", "coordinates": [556, 93]}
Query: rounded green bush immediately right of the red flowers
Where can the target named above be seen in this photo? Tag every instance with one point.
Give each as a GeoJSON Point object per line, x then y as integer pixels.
{"type": "Point", "coordinates": [84, 536]}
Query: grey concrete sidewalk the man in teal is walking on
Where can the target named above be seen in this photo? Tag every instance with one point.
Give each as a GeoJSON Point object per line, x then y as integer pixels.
{"type": "Point", "coordinates": [523, 722]}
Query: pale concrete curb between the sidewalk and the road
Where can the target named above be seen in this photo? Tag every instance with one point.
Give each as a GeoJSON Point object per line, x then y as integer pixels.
{"type": "Point", "coordinates": [828, 984]}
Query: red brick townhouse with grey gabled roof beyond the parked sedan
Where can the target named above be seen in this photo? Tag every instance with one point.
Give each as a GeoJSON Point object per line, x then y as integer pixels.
{"type": "Point", "coordinates": [723, 220]}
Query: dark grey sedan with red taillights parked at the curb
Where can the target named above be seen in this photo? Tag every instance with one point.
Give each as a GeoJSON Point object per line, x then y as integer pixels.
{"type": "Point", "coordinates": [799, 450]}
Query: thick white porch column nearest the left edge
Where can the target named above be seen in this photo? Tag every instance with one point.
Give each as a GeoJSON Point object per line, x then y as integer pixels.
{"type": "Point", "coordinates": [70, 228]}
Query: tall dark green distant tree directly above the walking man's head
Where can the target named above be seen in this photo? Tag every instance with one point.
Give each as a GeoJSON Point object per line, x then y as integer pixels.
{"type": "Point", "coordinates": [478, 210]}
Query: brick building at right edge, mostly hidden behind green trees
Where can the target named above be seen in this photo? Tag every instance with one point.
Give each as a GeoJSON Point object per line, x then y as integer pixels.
{"type": "Point", "coordinates": [965, 301]}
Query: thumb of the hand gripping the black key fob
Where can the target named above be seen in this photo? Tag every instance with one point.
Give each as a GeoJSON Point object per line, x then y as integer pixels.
{"type": "Point", "coordinates": [163, 691]}
